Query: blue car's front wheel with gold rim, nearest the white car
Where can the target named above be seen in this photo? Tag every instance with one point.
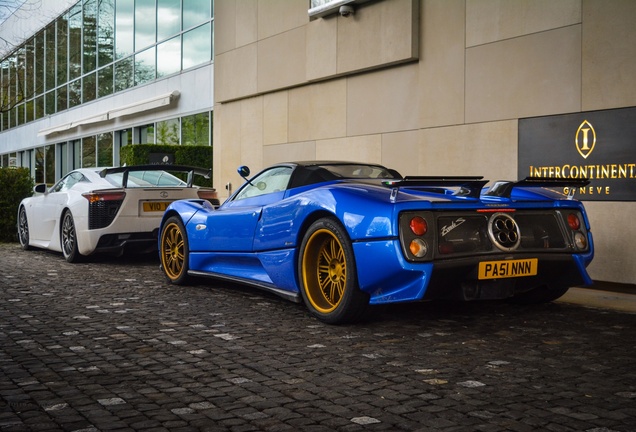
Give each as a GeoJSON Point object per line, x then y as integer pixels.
{"type": "Point", "coordinates": [174, 251]}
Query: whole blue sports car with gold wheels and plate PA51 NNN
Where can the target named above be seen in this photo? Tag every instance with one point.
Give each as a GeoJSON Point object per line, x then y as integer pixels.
{"type": "Point", "coordinates": [341, 236]}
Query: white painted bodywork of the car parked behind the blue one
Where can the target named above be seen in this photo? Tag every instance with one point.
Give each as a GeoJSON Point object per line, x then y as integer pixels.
{"type": "Point", "coordinates": [46, 209]}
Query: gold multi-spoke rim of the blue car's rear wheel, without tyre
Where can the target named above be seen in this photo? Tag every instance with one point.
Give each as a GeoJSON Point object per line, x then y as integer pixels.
{"type": "Point", "coordinates": [324, 271]}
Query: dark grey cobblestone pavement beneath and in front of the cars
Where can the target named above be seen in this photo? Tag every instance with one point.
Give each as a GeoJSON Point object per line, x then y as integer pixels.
{"type": "Point", "coordinates": [109, 346]}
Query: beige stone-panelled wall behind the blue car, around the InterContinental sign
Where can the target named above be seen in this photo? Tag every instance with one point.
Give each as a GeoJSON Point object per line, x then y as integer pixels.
{"type": "Point", "coordinates": [425, 86]}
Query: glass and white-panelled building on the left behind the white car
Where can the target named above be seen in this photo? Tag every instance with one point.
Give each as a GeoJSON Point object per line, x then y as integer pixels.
{"type": "Point", "coordinates": [81, 79]}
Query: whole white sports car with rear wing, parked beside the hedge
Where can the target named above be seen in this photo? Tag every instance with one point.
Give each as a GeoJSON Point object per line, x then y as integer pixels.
{"type": "Point", "coordinates": [94, 210]}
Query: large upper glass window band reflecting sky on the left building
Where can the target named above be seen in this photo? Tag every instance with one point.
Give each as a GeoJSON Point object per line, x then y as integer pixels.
{"type": "Point", "coordinates": [99, 47]}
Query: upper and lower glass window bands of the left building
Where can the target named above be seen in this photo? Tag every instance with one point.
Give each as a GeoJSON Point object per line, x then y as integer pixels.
{"type": "Point", "coordinates": [93, 50]}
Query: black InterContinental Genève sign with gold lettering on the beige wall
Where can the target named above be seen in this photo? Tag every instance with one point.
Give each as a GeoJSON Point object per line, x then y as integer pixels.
{"type": "Point", "coordinates": [597, 145]}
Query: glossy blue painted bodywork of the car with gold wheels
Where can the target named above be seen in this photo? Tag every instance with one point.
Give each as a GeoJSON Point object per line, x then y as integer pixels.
{"type": "Point", "coordinates": [256, 240]}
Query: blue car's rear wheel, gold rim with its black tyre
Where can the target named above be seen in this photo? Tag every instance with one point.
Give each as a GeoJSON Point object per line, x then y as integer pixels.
{"type": "Point", "coordinates": [328, 276]}
